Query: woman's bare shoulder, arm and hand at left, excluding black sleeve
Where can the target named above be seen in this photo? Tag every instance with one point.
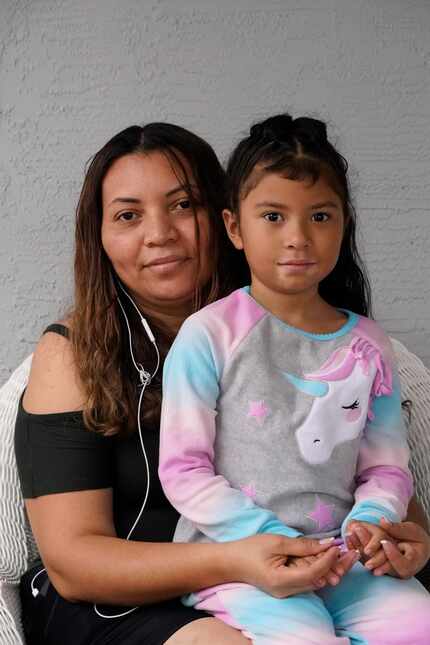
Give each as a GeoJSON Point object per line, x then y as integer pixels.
{"type": "Point", "coordinates": [85, 559]}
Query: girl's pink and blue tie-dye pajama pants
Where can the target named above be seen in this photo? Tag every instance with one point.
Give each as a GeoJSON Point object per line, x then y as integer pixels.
{"type": "Point", "coordinates": [361, 610]}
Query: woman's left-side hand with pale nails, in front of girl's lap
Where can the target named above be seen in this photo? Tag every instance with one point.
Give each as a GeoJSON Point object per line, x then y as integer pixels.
{"type": "Point", "coordinates": [263, 561]}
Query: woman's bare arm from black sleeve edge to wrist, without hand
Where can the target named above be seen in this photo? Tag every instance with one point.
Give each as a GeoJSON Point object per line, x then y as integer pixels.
{"type": "Point", "coordinates": [86, 561]}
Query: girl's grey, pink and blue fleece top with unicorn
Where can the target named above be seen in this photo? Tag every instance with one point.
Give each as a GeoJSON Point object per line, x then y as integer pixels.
{"type": "Point", "coordinates": [269, 429]}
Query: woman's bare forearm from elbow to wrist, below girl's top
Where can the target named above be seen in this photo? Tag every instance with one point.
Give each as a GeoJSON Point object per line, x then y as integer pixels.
{"type": "Point", "coordinates": [113, 571]}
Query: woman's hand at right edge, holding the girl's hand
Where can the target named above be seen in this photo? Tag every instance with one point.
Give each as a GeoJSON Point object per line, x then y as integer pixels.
{"type": "Point", "coordinates": [411, 552]}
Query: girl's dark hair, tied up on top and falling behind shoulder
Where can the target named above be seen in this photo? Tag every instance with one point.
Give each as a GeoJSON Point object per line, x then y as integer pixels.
{"type": "Point", "coordinates": [299, 149]}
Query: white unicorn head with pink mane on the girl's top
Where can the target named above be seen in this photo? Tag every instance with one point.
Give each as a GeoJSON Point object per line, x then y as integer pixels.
{"type": "Point", "coordinates": [343, 390]}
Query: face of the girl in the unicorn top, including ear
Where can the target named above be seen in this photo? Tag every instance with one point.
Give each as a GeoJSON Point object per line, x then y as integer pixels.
{"type": "Point", "coordinates": [291, 232]}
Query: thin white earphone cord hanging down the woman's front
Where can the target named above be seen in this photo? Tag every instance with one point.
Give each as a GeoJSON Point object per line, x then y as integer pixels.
{"type": "Point", "coordinates": [145, 379]}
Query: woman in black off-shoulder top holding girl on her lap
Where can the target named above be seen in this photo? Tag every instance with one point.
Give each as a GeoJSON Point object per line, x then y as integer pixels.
{"type": "Point", "coordinates": [149, 240]}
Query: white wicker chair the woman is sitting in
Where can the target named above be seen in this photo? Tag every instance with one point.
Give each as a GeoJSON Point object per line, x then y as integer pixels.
{"type": "Point", "coordinates": [17, 546]}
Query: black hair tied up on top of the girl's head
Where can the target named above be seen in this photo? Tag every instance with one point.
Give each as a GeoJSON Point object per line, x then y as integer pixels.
{"type": "Point", "coordinates": [283, 128]}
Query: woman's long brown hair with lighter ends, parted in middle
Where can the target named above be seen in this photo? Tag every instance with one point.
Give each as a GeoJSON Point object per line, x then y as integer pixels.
{"type": "Point", "coordinates": [99, 337]}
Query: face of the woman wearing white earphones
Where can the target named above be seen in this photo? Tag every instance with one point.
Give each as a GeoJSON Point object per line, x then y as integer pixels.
{"type": "Point", "coordinates": [149, 232]}
